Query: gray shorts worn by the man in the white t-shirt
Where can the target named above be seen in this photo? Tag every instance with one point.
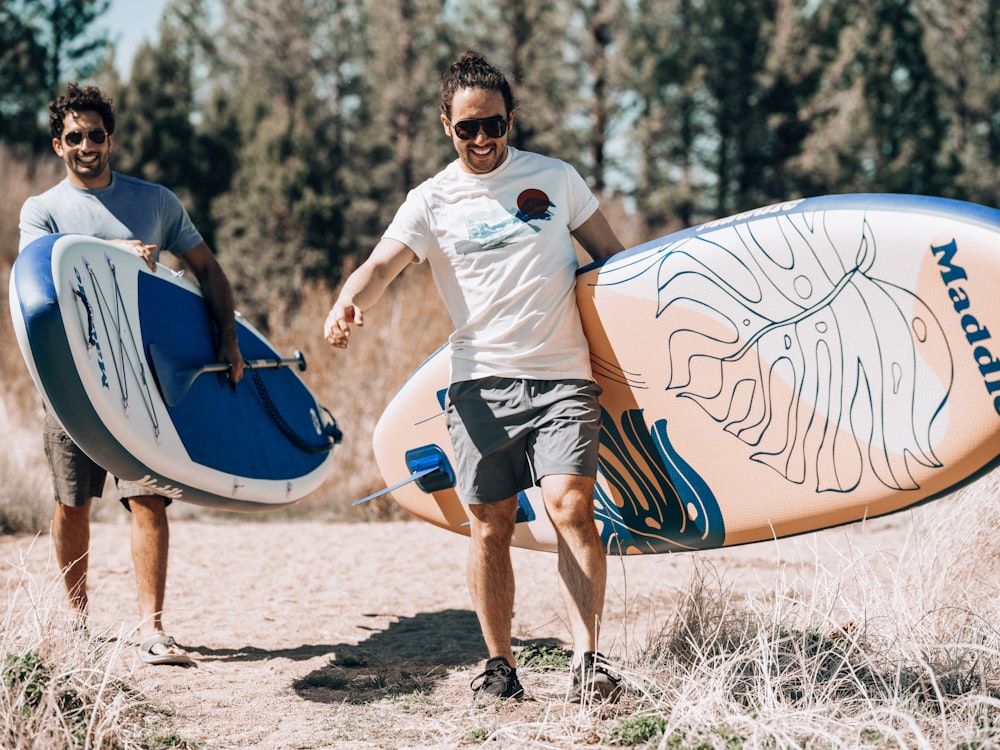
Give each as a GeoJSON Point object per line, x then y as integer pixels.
{"type": "Point", "coordinates": [508, 433]}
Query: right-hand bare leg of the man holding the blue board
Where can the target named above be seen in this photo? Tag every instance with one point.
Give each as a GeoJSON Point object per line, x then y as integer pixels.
{"type": "Point", "coordinates": [150, 546]}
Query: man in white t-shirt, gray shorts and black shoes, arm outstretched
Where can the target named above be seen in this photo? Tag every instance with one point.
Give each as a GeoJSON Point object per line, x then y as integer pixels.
{"type": "Point", "coordinates": [497, 228]}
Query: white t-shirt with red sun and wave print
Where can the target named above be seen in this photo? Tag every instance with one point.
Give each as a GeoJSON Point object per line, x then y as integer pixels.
{"type": "Point", "coordinates": [501, 254]}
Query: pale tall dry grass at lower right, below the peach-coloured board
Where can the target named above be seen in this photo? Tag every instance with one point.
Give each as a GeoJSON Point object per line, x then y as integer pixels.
{"type": "Point", "coordinates": [866, 650]}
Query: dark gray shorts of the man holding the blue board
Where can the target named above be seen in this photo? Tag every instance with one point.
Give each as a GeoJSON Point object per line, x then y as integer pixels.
{"type": "Point", "coordinates": [75, 476]}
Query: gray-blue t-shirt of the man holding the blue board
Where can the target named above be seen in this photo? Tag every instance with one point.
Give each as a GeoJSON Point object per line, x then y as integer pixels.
{"type": "Point", "coordinates": [127, 209]}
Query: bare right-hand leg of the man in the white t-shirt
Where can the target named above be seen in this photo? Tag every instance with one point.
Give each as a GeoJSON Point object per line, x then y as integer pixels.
{"type": "Point", "coordinates": [569, 501]}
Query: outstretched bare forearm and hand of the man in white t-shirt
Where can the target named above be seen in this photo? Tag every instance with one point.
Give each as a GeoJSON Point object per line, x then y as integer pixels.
{"type": "Point", "coordinates": [364, 288]}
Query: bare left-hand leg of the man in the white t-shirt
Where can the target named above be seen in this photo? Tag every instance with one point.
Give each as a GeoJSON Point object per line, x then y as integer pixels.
{"type": "Point", "coordinates": [491, 575]}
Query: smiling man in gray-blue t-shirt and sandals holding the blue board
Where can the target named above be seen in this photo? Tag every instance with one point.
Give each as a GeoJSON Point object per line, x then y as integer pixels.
{"type": "Point", "coordinates": [146, 219]}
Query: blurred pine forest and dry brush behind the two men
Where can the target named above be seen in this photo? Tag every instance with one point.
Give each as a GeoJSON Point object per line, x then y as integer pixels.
{"type": "Point", "coordinates": [292, 130]}
